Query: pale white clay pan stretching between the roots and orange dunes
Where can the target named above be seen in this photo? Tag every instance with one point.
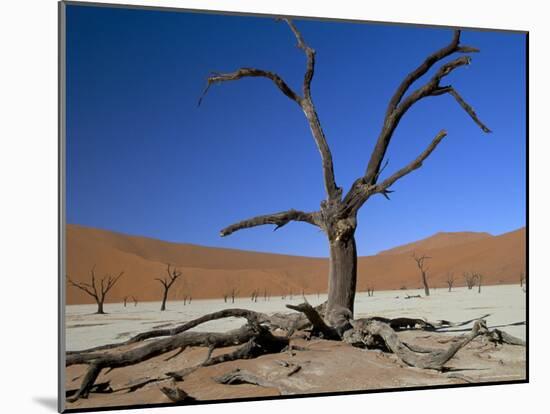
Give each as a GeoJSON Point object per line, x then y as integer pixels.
{"type": "Point", "coordinates": [505, 304]}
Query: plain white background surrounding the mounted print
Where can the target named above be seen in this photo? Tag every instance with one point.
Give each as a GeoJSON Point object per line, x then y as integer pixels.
{"type": "Point", "coordinates": [28, 206]}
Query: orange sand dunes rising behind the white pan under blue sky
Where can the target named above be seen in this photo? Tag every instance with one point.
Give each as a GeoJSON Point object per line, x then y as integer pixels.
{"type": "Point", "coordinates": [209, 272]}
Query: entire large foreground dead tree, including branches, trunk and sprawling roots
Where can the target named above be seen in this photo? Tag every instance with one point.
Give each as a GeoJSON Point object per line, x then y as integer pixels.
{"type": "Point", "coordinates": [337, 218]}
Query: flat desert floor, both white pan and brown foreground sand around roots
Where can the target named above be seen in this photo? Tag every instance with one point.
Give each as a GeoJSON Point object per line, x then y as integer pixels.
{"type": "Point", "coordinates": [325, 366]}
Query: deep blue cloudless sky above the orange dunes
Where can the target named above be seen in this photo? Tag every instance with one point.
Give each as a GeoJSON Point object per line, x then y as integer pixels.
{"type": "Point", "coordinates": [143, 159]}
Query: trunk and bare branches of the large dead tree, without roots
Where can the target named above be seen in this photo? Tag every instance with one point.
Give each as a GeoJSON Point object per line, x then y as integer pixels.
{"type": "Point", "coordinates": [337, 216]}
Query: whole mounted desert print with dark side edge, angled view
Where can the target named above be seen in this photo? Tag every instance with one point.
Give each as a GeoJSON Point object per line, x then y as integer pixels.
{"type": "Point", "coordinates": [258, 207]}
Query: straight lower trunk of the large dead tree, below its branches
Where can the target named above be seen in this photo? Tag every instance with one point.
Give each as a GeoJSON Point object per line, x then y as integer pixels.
{"type": "Point", "coordinates": [342, 275]}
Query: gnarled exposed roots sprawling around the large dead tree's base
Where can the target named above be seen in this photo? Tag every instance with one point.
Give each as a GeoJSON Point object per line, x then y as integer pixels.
{"type": "Point", "coordinates": [256, 338]}
